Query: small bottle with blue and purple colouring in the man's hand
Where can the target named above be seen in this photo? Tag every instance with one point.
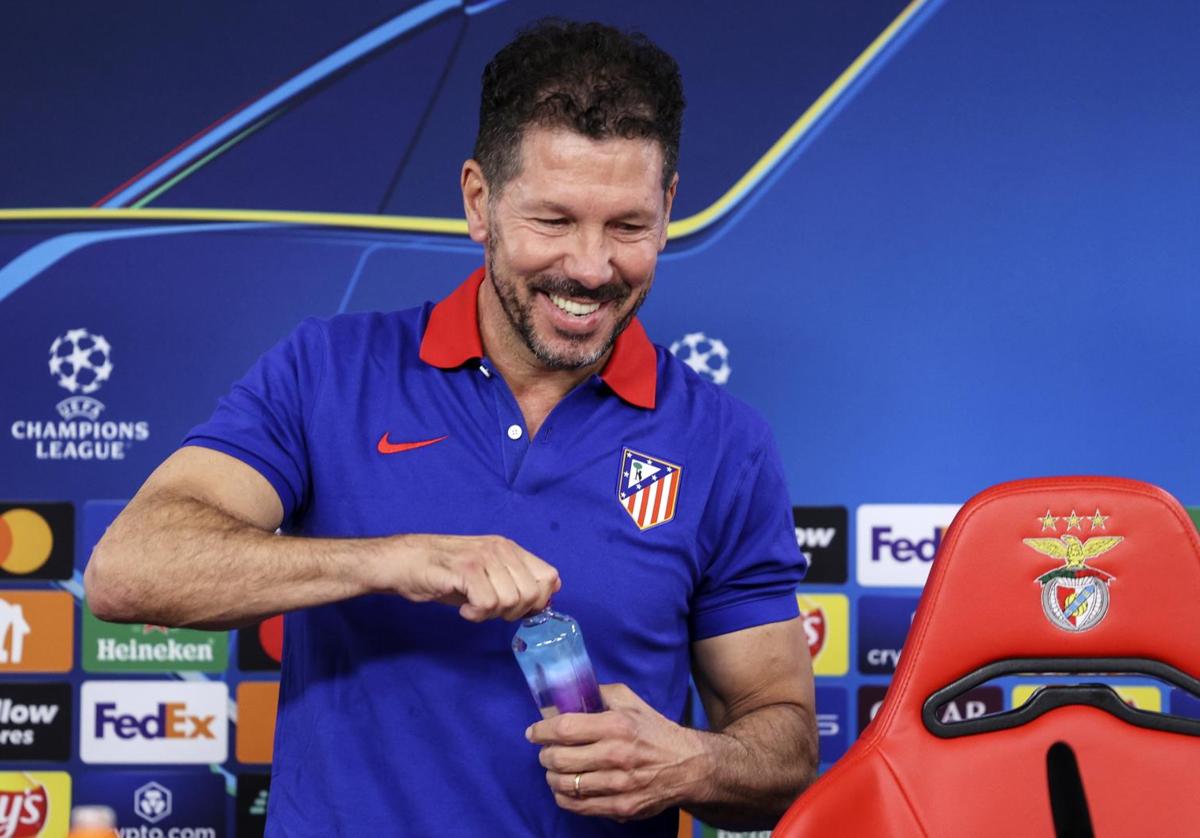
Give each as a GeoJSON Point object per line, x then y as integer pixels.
{"type": "Point", "coordinates": [549, 648]}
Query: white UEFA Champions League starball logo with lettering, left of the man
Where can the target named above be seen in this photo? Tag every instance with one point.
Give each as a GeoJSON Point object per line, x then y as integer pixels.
{"type": "Point", "coordinates": [81, 363]}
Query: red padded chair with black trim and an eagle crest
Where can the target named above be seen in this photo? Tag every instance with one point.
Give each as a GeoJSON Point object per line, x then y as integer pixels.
{"type": "Point", "coordinates": [1061, 576]}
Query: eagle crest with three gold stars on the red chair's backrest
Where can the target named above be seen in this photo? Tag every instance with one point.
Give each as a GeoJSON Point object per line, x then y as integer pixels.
{"type": "Point", "coordinates": [1075, 597]}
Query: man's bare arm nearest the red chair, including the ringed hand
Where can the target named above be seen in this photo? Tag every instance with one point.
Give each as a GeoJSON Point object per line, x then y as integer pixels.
{"type": "Point", "coordinates": [760, 753]}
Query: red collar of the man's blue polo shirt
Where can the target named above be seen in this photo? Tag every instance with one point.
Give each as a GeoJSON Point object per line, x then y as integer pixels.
{"type": "Point", "coordinates": [452, 339]}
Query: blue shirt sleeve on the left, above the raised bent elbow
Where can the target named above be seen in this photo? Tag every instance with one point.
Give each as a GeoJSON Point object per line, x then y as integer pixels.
{"type": "Point", "coordinates": [263, 420]}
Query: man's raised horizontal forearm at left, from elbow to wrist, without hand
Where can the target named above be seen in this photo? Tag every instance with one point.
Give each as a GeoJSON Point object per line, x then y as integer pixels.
{"type": "Point", "coordinates": [176, 561]}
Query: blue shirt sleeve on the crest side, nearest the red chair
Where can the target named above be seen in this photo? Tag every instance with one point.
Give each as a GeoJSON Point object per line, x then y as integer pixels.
{"type": "Point", "coordinates": [757, 562]}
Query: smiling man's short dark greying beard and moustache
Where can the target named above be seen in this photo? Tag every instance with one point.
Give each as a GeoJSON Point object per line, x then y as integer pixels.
{"type": "Point", "coordinates": [578, 355]}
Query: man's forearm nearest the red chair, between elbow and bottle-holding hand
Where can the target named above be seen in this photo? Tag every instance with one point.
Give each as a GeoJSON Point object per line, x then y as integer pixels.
{"type": "Point", "coordinates": [755, 768]}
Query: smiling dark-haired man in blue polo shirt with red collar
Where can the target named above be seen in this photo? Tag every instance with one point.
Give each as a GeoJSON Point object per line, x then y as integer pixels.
{"type": "Point", "coordinates": [519, 440]}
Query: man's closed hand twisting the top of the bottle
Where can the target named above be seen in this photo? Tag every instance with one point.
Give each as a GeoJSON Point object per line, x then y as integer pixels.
{"type": "Point", "coordinates": [484, 576]}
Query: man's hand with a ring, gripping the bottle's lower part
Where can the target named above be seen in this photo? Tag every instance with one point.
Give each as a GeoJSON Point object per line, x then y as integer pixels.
{"type": "Point", "coordinates": [627, 763]}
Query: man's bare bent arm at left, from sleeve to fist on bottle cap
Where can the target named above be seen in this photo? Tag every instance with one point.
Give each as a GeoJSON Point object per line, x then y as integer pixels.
{"type": "Point", "coordinates": [197, 547]}
